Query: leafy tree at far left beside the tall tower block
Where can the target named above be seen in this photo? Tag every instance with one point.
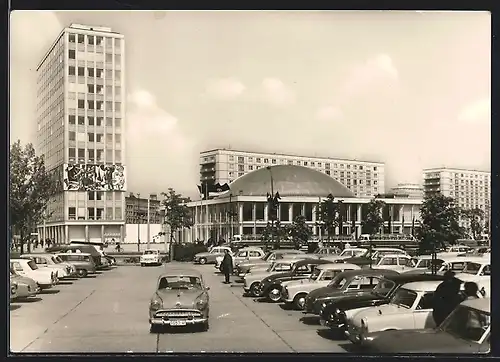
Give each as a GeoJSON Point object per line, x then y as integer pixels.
{"type": "Point", "coordinates": [31, 190]}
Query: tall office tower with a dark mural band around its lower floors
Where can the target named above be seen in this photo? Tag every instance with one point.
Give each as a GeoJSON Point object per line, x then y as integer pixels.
{"type": "Point", "coordinates": [80, 115]}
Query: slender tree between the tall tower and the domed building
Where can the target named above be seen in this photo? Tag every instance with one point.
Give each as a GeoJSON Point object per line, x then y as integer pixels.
{"type": "Point", "coordinates": [177, 215]}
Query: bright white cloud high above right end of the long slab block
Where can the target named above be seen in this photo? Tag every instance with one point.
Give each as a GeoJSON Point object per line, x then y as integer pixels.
{"type": "Point", "coordinates": [374, 71]}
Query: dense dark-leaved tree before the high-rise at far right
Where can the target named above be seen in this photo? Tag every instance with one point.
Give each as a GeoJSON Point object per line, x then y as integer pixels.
{"type": "Point", "coordinates": [439, 222]}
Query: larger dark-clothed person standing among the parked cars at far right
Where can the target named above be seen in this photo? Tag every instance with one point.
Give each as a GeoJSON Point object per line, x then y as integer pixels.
{"type": "Point", "coordinates": [446, 297]}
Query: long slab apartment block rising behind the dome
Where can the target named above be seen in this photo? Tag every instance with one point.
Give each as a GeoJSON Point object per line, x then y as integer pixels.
{"type": "Point", "coordinates": [363, 178]}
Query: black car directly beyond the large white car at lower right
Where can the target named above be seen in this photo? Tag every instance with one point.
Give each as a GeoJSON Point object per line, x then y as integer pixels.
{"type": "Point", "coordinates": [334, 314]}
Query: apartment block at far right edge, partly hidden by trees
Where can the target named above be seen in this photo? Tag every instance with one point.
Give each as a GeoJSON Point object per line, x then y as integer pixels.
{"type": "Point", "coordinates": [470, 188]}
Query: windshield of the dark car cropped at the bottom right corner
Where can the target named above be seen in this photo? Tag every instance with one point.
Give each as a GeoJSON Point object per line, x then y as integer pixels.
{"type": "Point", "coordinates": [467, 323]}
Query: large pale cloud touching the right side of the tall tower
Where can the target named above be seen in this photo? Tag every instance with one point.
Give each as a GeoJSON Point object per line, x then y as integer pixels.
{"type": "Point", "coordinates": [158, 152]}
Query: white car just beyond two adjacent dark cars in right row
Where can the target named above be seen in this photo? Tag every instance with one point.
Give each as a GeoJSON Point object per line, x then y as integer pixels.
{"type": "Point", "coordinates": [296, 291]}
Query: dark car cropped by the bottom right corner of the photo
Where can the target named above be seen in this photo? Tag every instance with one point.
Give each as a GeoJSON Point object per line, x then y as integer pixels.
{"type": "Point", "coordinates": [466, 330]}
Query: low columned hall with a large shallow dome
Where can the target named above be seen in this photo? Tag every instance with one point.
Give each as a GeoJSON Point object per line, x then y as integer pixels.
{"type": "Point", "coordinates": [243, 210]}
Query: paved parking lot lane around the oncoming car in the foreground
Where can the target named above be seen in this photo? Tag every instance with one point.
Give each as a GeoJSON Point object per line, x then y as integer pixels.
{"type": "Point", "coordinates": [109, 313]}
